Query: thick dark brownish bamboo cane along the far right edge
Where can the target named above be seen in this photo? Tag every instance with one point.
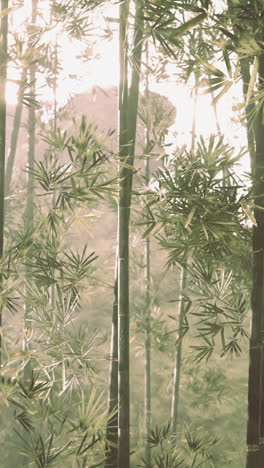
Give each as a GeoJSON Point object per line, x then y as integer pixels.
{"type": "Point", "coordinates": [255, 409]}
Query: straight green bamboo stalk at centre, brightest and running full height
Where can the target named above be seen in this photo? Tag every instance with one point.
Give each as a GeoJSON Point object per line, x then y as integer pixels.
{"type": "Point", "coordinates": [123, 250]}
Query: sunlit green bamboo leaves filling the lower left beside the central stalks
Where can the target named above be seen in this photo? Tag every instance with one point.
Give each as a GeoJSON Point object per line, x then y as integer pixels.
{"type": "Point", "coordinates": [53, 357]}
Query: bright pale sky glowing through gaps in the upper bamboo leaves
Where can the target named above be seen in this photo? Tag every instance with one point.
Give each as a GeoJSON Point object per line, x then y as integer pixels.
{"type": "Point", "coordinates": [78, 76]}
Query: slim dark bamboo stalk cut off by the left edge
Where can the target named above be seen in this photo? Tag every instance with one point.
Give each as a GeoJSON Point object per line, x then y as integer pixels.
{"type": "Point", "coordinates": [3, 75]}
